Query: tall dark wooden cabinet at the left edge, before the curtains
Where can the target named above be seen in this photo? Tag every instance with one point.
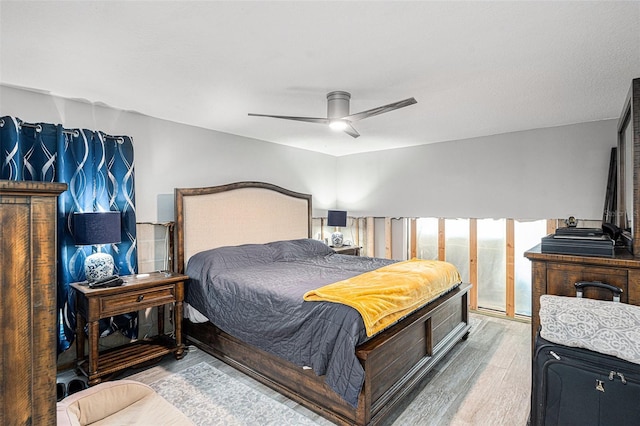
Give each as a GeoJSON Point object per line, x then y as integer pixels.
{"type": "Point", "coordinates": [28, 302]}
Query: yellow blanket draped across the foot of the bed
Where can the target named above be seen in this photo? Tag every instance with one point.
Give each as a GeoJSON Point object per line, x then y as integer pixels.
{"type": "Point", "coordinates": [387, 294]}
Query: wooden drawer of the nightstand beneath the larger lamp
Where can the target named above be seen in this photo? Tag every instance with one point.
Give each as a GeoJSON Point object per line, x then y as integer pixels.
{"type": "Point", "coordinates": [135, 301]}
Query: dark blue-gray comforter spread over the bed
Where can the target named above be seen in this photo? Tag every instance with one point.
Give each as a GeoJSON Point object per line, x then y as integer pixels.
{"type": "Point", "coordinates": [255, 293]}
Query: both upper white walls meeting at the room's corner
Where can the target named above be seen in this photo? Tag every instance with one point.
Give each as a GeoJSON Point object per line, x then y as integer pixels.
{"type": "Point", "coordinates": [536, 174]}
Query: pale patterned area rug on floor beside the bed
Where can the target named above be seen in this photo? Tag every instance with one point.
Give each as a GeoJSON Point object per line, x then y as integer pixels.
{"type": "Point", "coordinates": [210, 397]}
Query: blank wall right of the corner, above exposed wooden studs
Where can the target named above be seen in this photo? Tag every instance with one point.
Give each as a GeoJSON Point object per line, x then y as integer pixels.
{"type": "Point", "coordinates": [536, 174]}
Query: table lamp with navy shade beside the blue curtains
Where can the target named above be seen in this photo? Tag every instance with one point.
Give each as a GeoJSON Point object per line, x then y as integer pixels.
{"type": "Point", "coordinates": [96, 229]}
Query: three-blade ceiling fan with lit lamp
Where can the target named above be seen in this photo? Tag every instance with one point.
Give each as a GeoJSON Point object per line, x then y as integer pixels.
{"type": "Point", "coordinates": [338, 117]}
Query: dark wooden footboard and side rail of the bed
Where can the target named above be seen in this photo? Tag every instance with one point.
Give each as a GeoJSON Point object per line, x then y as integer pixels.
{"type": "Point", "coordinates": [394, 361]}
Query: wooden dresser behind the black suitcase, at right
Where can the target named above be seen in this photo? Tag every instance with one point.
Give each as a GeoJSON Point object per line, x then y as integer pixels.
{"type": "Point", "coordinates": [557, 273]}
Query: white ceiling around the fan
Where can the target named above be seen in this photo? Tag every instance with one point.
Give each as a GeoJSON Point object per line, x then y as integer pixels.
{"type": "Point", "coordinates": [475, 68]}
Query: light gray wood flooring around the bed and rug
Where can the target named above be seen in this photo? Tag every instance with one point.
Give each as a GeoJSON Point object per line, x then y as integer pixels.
{"type": "Point", "coordinates": [485, 380]}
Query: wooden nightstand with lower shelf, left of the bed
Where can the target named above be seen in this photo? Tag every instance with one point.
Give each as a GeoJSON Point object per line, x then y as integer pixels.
{"type": "Point", "coordinates": [138, 292]}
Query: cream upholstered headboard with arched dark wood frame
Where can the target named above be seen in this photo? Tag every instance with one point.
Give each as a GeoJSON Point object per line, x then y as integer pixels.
{"type": "Point", "coordinates": [237, 213]}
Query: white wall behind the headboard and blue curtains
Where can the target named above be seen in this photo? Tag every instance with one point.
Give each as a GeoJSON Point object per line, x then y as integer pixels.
{"type": "Point", "coordinates": [169, 155]}
